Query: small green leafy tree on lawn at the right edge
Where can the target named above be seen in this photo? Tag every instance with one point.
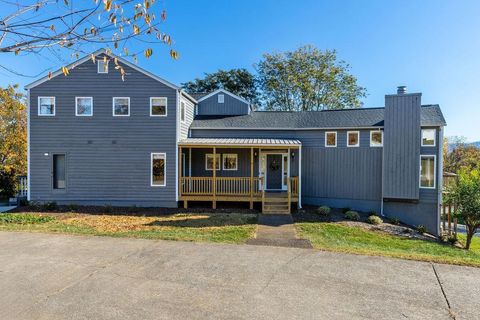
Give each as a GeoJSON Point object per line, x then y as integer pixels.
{"type": "Point", "coordinates": [466, 194]}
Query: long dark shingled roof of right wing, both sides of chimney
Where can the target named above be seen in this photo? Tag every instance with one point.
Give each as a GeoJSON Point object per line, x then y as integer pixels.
{"type": "Point", "coordinates": [431, 115]}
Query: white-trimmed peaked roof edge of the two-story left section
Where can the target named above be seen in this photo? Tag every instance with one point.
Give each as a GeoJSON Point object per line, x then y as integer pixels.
{"type": "Point", "coordinates": [111, 55]}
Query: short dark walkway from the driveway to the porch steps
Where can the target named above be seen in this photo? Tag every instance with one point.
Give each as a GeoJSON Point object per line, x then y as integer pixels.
{"type": "Point", "coordinates": [278, 230]}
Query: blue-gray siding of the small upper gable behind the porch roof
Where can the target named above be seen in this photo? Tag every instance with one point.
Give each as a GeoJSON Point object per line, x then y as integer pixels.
{"type": "Point", "coordinates": [231, 106]}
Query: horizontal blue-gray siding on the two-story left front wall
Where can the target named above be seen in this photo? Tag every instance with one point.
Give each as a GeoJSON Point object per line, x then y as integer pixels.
{"type": "Point", "coordinates": [108, 158]}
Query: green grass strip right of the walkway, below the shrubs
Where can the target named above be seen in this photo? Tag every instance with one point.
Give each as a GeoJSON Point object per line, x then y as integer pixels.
{"type": "Point", "coordinates": [342, 238]}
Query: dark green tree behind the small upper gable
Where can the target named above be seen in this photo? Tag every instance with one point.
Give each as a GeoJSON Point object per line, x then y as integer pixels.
{"type": "Point", "coordinates": [238, 81]}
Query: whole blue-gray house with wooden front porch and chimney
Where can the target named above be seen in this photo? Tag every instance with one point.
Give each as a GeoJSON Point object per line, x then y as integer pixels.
{"type": "Point", "coordinates": [95, 139]}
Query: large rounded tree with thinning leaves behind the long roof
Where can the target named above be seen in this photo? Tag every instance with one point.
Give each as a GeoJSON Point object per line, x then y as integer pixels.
{"type": "Point", "coordinates": [307, 79]}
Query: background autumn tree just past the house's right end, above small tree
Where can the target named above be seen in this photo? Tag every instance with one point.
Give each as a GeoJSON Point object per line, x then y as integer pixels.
{"type": "Point", "coordinates": [461, 155]}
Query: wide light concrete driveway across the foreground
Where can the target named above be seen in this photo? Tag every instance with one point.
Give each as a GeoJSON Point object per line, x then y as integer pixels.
{"type": "Point", "coordinates": [71, 277]}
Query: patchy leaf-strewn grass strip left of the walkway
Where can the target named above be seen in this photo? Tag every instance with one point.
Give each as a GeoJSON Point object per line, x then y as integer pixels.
{"type": "Point", "coordinates": [219, 227]}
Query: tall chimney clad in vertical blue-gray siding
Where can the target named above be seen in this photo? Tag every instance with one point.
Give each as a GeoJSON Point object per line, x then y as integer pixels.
{"type": "Point", "coordinates": [402, 146]}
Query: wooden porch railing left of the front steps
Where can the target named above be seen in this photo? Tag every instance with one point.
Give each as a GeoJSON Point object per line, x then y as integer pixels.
{"type": "Point", "coordinates": [225, 186]}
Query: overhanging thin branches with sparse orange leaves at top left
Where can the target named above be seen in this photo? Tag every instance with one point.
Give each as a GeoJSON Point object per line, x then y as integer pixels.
{"type": "Point", "coordinates": [35, 26]}
